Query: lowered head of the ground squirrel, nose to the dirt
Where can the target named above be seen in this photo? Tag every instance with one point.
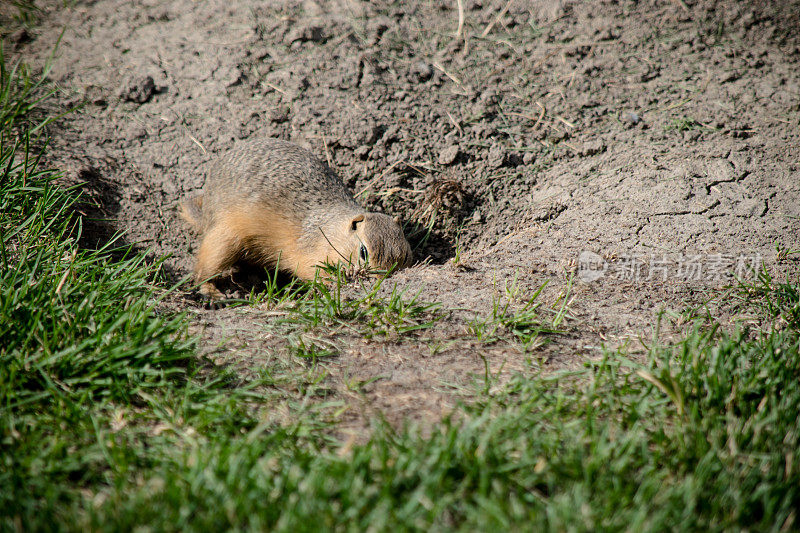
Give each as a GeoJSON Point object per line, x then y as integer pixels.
{"type": "Point", "coordinates": [376, 240]}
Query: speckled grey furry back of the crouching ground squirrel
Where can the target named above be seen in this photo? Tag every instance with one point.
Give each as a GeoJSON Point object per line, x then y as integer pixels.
{"type": "Point", "coordinates": [276, 174]}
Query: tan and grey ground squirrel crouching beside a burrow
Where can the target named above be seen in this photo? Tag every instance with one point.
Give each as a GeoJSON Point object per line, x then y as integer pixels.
{"type": "Point", "coordinates": [273, 202]}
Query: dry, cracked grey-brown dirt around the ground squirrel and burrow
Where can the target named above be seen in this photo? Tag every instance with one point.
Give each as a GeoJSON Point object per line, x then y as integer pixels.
{"type": "Point", "coordinates": [659, 138]}
